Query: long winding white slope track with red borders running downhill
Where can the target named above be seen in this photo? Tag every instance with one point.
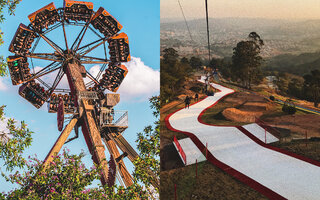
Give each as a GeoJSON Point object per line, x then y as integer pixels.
{"type": "Point", "coordinates": [274, 173]}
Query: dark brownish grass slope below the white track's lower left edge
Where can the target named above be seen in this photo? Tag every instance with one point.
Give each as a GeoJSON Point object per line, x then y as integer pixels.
{"type": "Point", "coordinates": [211, 183]}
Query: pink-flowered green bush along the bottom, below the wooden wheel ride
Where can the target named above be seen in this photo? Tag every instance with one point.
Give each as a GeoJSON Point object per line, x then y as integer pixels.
{"type": "Point", "coordinates": [66, 177]}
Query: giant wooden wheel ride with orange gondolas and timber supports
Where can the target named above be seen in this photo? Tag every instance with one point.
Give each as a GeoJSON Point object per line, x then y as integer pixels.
{"type": "Point", "coordinates": [91, 108]}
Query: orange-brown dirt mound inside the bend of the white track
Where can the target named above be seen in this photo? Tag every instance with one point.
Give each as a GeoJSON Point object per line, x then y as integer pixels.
{"type": "Point", "coordinates": [237, 115]}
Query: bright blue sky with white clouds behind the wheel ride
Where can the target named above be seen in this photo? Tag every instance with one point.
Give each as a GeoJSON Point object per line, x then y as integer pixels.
{"type": "Point", "coordinates": [140, 20]}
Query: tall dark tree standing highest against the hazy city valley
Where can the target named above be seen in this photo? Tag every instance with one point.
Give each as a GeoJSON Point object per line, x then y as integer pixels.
{"type": "Point", "coordinates": [246, 60]}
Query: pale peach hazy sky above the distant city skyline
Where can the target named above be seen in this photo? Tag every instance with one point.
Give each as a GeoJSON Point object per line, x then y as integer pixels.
{"type": "Point", "coordinates": [266, 9]}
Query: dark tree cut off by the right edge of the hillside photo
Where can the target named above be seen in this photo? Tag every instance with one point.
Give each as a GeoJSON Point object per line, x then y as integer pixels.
{"type": "Point", "coordinates": [312, 86]}
